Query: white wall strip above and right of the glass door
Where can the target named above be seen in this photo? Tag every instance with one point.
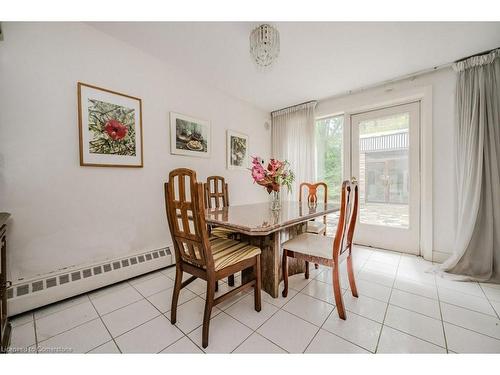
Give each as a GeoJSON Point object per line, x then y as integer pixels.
{"type": "Point", "coordinates": [443, 91]}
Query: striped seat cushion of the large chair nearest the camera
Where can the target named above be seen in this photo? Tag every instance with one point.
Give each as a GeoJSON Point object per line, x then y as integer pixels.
{"type": "Point", "coordinates": [227, 252]}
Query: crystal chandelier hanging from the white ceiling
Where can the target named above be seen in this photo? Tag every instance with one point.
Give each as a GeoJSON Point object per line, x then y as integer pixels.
{"type": "Point", "coordinates": [264, 45]}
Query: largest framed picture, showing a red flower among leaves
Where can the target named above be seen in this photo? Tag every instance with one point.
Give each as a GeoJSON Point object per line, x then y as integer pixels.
{"type": "Point", "coordinates": [110, 126]}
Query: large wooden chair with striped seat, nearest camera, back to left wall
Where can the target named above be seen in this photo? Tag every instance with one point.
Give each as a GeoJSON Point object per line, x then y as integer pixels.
{"type": "Point", "coordinates": [204, 257]}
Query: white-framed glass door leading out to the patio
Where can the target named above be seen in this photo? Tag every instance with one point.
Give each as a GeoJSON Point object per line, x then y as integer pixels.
{"type": "Point", "coordinates": [385, 160]}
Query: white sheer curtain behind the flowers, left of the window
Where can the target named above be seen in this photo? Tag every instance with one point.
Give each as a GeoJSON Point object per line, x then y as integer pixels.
{"type": "Point", "coordinates": [293, 140]}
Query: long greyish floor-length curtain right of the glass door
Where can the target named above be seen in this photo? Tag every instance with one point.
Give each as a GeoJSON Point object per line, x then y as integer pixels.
{"type": "Point", "coordinates": [477, 246]}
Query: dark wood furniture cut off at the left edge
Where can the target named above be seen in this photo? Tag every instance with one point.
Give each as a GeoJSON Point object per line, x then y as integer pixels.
{"type": "Point", "coordinates": [4, 284]}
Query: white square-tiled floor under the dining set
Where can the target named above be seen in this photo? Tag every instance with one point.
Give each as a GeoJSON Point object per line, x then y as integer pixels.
{"type": "Point", "coordinates": [401, 309]}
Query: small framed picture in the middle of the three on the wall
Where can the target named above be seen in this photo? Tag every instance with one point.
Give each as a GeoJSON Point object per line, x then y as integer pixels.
{"type": "Point", "coordinates": [189, 136]}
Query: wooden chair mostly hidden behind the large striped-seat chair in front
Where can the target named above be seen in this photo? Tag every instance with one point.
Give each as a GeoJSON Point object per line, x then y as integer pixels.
{"type": "Point", "coordinates": [217, 196]}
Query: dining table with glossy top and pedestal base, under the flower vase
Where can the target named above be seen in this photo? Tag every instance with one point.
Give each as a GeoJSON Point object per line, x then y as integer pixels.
{"type": "Point", "coordinates": [258, 225]}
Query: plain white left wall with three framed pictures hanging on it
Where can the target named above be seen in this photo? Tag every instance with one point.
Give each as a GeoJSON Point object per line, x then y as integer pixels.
{"type": "Point", "coordinates": [64, 214]}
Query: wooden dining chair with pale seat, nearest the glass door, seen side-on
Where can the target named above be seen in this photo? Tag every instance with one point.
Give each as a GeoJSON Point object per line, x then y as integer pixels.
{"type": "Point", "coordinates": [329, 251]}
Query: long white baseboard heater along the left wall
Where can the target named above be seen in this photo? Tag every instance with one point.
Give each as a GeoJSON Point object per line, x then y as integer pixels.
{"type": "Point", "coordinates": [25, 295]}
